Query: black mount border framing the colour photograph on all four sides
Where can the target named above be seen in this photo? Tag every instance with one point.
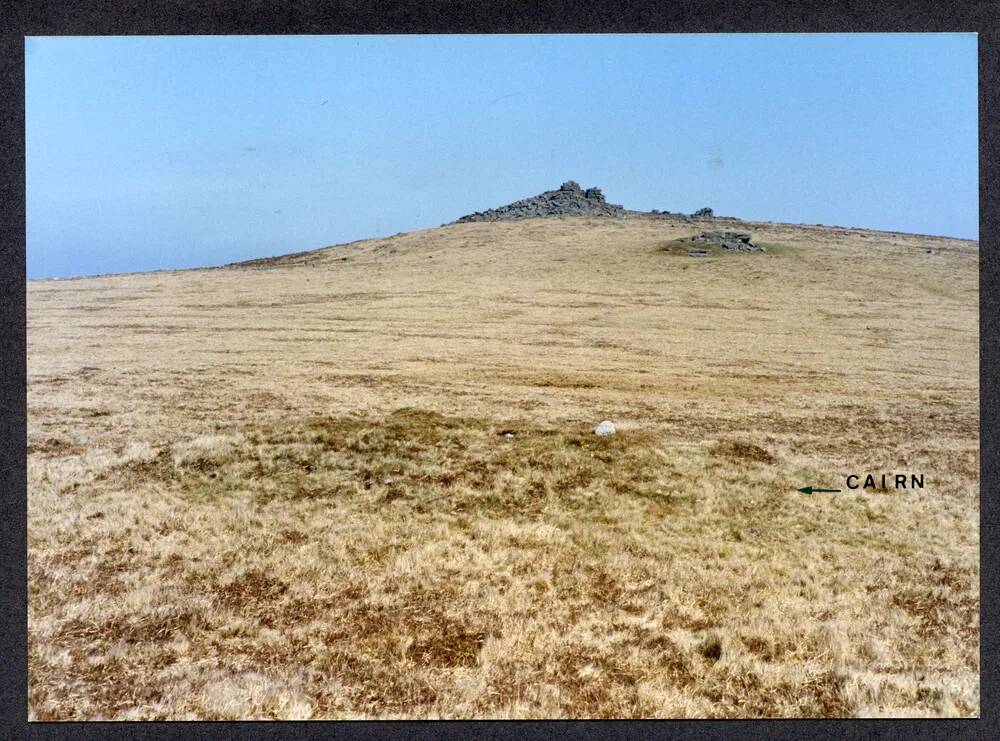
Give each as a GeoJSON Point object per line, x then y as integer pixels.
{"type": "Point", "coordinates": [19, 18]}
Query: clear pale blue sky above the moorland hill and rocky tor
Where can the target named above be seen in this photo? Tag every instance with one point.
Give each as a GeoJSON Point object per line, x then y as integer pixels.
{"type": "Point", "coordinates": [167, 152]}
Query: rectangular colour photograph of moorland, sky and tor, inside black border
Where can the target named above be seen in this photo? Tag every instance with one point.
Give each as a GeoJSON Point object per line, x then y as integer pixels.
{"type": "Point", "coordinates": [502, 376]}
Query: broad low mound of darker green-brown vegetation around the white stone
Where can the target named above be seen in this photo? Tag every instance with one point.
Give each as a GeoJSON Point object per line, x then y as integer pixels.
{"type": "Point", "coordinates": [418, 458]}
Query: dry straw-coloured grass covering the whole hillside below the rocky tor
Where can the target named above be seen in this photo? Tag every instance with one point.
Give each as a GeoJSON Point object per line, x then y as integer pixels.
{"type": "Point", "coordinates": [282, 490]}
